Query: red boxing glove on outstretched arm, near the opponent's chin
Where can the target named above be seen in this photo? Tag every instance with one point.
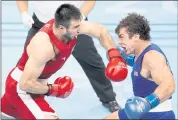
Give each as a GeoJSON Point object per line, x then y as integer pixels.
{"type": "Point", "coordinates": [116, 69]}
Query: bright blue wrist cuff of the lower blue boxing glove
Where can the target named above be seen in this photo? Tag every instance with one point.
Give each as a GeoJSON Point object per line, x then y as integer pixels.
{"type": "Point", "coordinates": [153, 99]}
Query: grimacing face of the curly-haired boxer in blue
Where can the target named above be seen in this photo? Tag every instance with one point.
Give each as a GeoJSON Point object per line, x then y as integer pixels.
{"type": "Point", "coordinates": [128, 44]}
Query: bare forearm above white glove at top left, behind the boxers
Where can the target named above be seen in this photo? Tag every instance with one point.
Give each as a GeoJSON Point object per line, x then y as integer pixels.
{"type": "Point", "coordinates": [22, 6]}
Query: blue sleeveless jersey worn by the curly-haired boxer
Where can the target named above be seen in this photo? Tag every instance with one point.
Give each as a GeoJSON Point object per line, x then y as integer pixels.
{"type": "Point", "coordinates": [141, 86]}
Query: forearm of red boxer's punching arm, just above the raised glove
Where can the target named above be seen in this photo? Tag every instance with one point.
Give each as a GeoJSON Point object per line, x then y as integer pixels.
{"type": "Point", "coordinates": [106, 40]}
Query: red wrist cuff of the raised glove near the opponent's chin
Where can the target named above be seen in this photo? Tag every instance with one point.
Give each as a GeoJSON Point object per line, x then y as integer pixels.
{"type": "Point", "coordinates": [113, 53]}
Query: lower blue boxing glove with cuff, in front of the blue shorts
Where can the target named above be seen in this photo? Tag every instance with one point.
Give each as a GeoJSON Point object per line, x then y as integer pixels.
{"type": "Point", "coordinates": [136, 107]}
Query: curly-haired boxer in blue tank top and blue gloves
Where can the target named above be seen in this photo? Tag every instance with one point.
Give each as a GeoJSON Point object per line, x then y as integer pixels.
{"type": "Point", "coordinates": [152, 78]}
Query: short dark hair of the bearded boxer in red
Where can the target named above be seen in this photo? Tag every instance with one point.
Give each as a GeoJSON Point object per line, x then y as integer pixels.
{"type": "Point", "coordinates": [65, 13]}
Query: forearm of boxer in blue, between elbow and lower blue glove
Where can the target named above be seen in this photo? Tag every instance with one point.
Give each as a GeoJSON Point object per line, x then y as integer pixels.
{"type": "Point", "coordinates": [164, 91]}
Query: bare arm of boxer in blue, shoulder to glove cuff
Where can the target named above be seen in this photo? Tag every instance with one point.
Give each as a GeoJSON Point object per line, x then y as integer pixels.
{"type": "Point", "coordinates": [161, 75]}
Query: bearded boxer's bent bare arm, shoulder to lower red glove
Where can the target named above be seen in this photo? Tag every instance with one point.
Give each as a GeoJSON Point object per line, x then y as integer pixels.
{"type": "Point", "coordinates": [39, 51]}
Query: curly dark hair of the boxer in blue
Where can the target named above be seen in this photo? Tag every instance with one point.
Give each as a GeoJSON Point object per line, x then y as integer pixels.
{"type": "Point", "coordinates": [135, 24]}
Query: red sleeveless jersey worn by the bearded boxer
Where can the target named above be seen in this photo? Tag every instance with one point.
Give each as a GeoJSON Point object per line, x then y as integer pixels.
{"type": "Point", "coordinates": [51, 66]}
